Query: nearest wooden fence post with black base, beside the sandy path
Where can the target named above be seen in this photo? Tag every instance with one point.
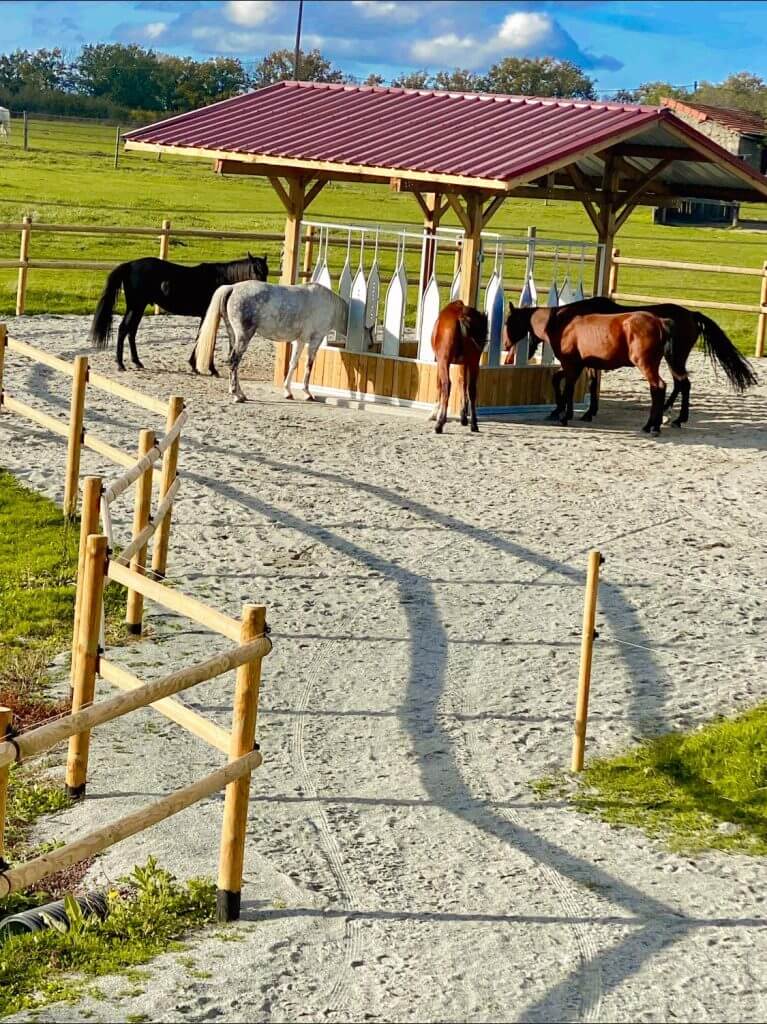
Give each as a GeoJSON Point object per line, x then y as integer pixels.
{"type": "Point", "coordinates": [243, 738]}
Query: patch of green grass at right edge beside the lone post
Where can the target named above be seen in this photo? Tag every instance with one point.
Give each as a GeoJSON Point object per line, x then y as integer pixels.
{"type": "Point", "coordinates": [683, 787]}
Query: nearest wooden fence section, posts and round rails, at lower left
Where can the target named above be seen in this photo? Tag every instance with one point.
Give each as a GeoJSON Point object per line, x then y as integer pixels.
{"type": "Point", "coordinates": [89, 665]}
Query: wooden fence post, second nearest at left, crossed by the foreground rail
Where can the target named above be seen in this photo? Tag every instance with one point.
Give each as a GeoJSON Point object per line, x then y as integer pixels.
{"type": "Point", "coordinates": [87, 659]}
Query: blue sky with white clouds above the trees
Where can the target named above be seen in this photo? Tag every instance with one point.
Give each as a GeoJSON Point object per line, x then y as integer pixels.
{"type": "Point", "coordinates": [619, 44]}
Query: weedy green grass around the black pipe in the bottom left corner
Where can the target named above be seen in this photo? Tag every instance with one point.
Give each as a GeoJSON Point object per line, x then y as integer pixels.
{"type": "Point", "coordinates": [150, 918]}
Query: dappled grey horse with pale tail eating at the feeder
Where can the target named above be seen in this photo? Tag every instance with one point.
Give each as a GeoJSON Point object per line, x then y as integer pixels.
{"type": "Point", "coordinates": [303, 315]}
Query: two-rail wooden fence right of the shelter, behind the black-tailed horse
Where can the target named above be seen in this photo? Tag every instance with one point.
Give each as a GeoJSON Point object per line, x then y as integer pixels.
{"type": "Point", "coordinates": [759, 309]}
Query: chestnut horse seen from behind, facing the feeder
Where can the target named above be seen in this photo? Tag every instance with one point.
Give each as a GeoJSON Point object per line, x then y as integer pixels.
{"type": "Point", "coordinates": [459, 336]}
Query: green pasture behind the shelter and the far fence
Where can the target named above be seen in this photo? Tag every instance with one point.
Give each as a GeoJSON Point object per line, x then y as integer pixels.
{"type": "Point", "coordinates": [68, 178]}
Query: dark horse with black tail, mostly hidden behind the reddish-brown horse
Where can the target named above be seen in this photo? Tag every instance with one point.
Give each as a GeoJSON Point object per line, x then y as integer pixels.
{"type": "Point", "coordinates": [689, 326]}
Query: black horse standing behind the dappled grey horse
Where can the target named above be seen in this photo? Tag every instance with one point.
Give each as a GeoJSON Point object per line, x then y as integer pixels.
{"type": "Point", "coordinates": [183, 290]}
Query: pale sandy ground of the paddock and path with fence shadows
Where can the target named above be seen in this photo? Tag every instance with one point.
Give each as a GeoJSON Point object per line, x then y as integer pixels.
{"type": "Point", "coordinates": [425, 595]}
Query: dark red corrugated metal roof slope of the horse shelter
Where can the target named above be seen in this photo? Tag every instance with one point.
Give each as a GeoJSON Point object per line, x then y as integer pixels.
{"type": "Point", "coordinates": [438, 133]}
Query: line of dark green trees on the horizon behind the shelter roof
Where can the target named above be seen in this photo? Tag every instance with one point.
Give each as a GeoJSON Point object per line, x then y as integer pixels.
{"type": "Point", "coordinates": [114, 80]}
